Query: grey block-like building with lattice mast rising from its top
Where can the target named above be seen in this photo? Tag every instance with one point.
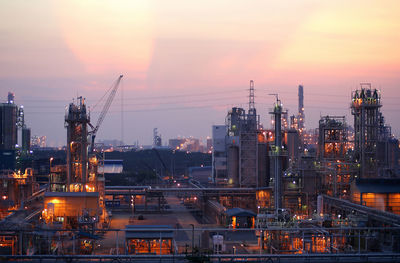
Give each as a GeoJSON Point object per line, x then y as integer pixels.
{"type": "Point", "coordinates": [240, 148]}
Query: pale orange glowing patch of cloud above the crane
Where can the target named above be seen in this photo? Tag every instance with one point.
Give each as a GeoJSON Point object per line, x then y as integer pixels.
{"type": "Point", "coordinates": [108, 35]}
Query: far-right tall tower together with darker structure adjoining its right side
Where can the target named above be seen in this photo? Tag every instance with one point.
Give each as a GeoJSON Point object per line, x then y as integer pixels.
{"type": "Point", "coordinates": [375, 148]}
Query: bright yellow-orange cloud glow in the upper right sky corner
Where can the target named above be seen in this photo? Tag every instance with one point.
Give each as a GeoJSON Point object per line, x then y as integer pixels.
{"type": "Point", "coordinates": [341, 35]}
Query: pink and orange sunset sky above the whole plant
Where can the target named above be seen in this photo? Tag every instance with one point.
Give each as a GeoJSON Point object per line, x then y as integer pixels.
{"type": "Point", "coordinates": [185, 63]}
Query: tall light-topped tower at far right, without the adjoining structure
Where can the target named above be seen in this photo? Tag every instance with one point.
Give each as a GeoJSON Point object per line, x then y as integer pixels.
{"type": "Point", "coordinates": [365, 108]}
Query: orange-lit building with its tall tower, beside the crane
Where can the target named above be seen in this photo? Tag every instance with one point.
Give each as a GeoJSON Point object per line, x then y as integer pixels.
{"type": "Point", "coordinates": [76, 193]}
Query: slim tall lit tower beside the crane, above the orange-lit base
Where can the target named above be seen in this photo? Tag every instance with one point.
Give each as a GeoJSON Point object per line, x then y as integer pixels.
{"type": "Point", "coordinates": [76, 121]}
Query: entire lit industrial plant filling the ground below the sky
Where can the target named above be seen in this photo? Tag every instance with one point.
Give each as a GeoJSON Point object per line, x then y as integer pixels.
{"type": "Point", "coordinates": [256, 193]}
